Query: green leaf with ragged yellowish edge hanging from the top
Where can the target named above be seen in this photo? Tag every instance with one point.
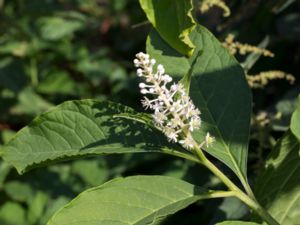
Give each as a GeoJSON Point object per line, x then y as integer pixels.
{"type": "Point", "coordinates": [173, 20]}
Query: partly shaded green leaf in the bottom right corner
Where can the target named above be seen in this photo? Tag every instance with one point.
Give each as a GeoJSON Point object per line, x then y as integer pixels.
{"type": "Point", "coordinates": [277, 188]}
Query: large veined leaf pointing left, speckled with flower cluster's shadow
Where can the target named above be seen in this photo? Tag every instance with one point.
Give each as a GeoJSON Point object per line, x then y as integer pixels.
{"type": "Point", "coordinates": [80, 128]}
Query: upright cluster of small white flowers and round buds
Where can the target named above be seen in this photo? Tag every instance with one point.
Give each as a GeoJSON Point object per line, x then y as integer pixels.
{"type": "Point", "coordinates": [174, 112]}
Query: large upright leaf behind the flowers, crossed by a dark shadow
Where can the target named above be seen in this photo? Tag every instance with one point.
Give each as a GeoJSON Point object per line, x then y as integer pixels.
{"type": "Point", "coordinates": [219, 89]}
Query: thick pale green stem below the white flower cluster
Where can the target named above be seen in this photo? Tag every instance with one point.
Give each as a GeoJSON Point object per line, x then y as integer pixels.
{"type": "Point", "coordinates": [248, 198]}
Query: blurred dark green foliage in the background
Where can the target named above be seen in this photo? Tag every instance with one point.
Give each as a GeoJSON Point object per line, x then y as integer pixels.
{"type": "Point", "coordinates": [57, 50]}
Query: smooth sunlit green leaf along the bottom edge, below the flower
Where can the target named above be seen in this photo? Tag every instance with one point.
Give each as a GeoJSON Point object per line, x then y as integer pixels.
{"type": "Point", "coordinates": [132, 200]}
